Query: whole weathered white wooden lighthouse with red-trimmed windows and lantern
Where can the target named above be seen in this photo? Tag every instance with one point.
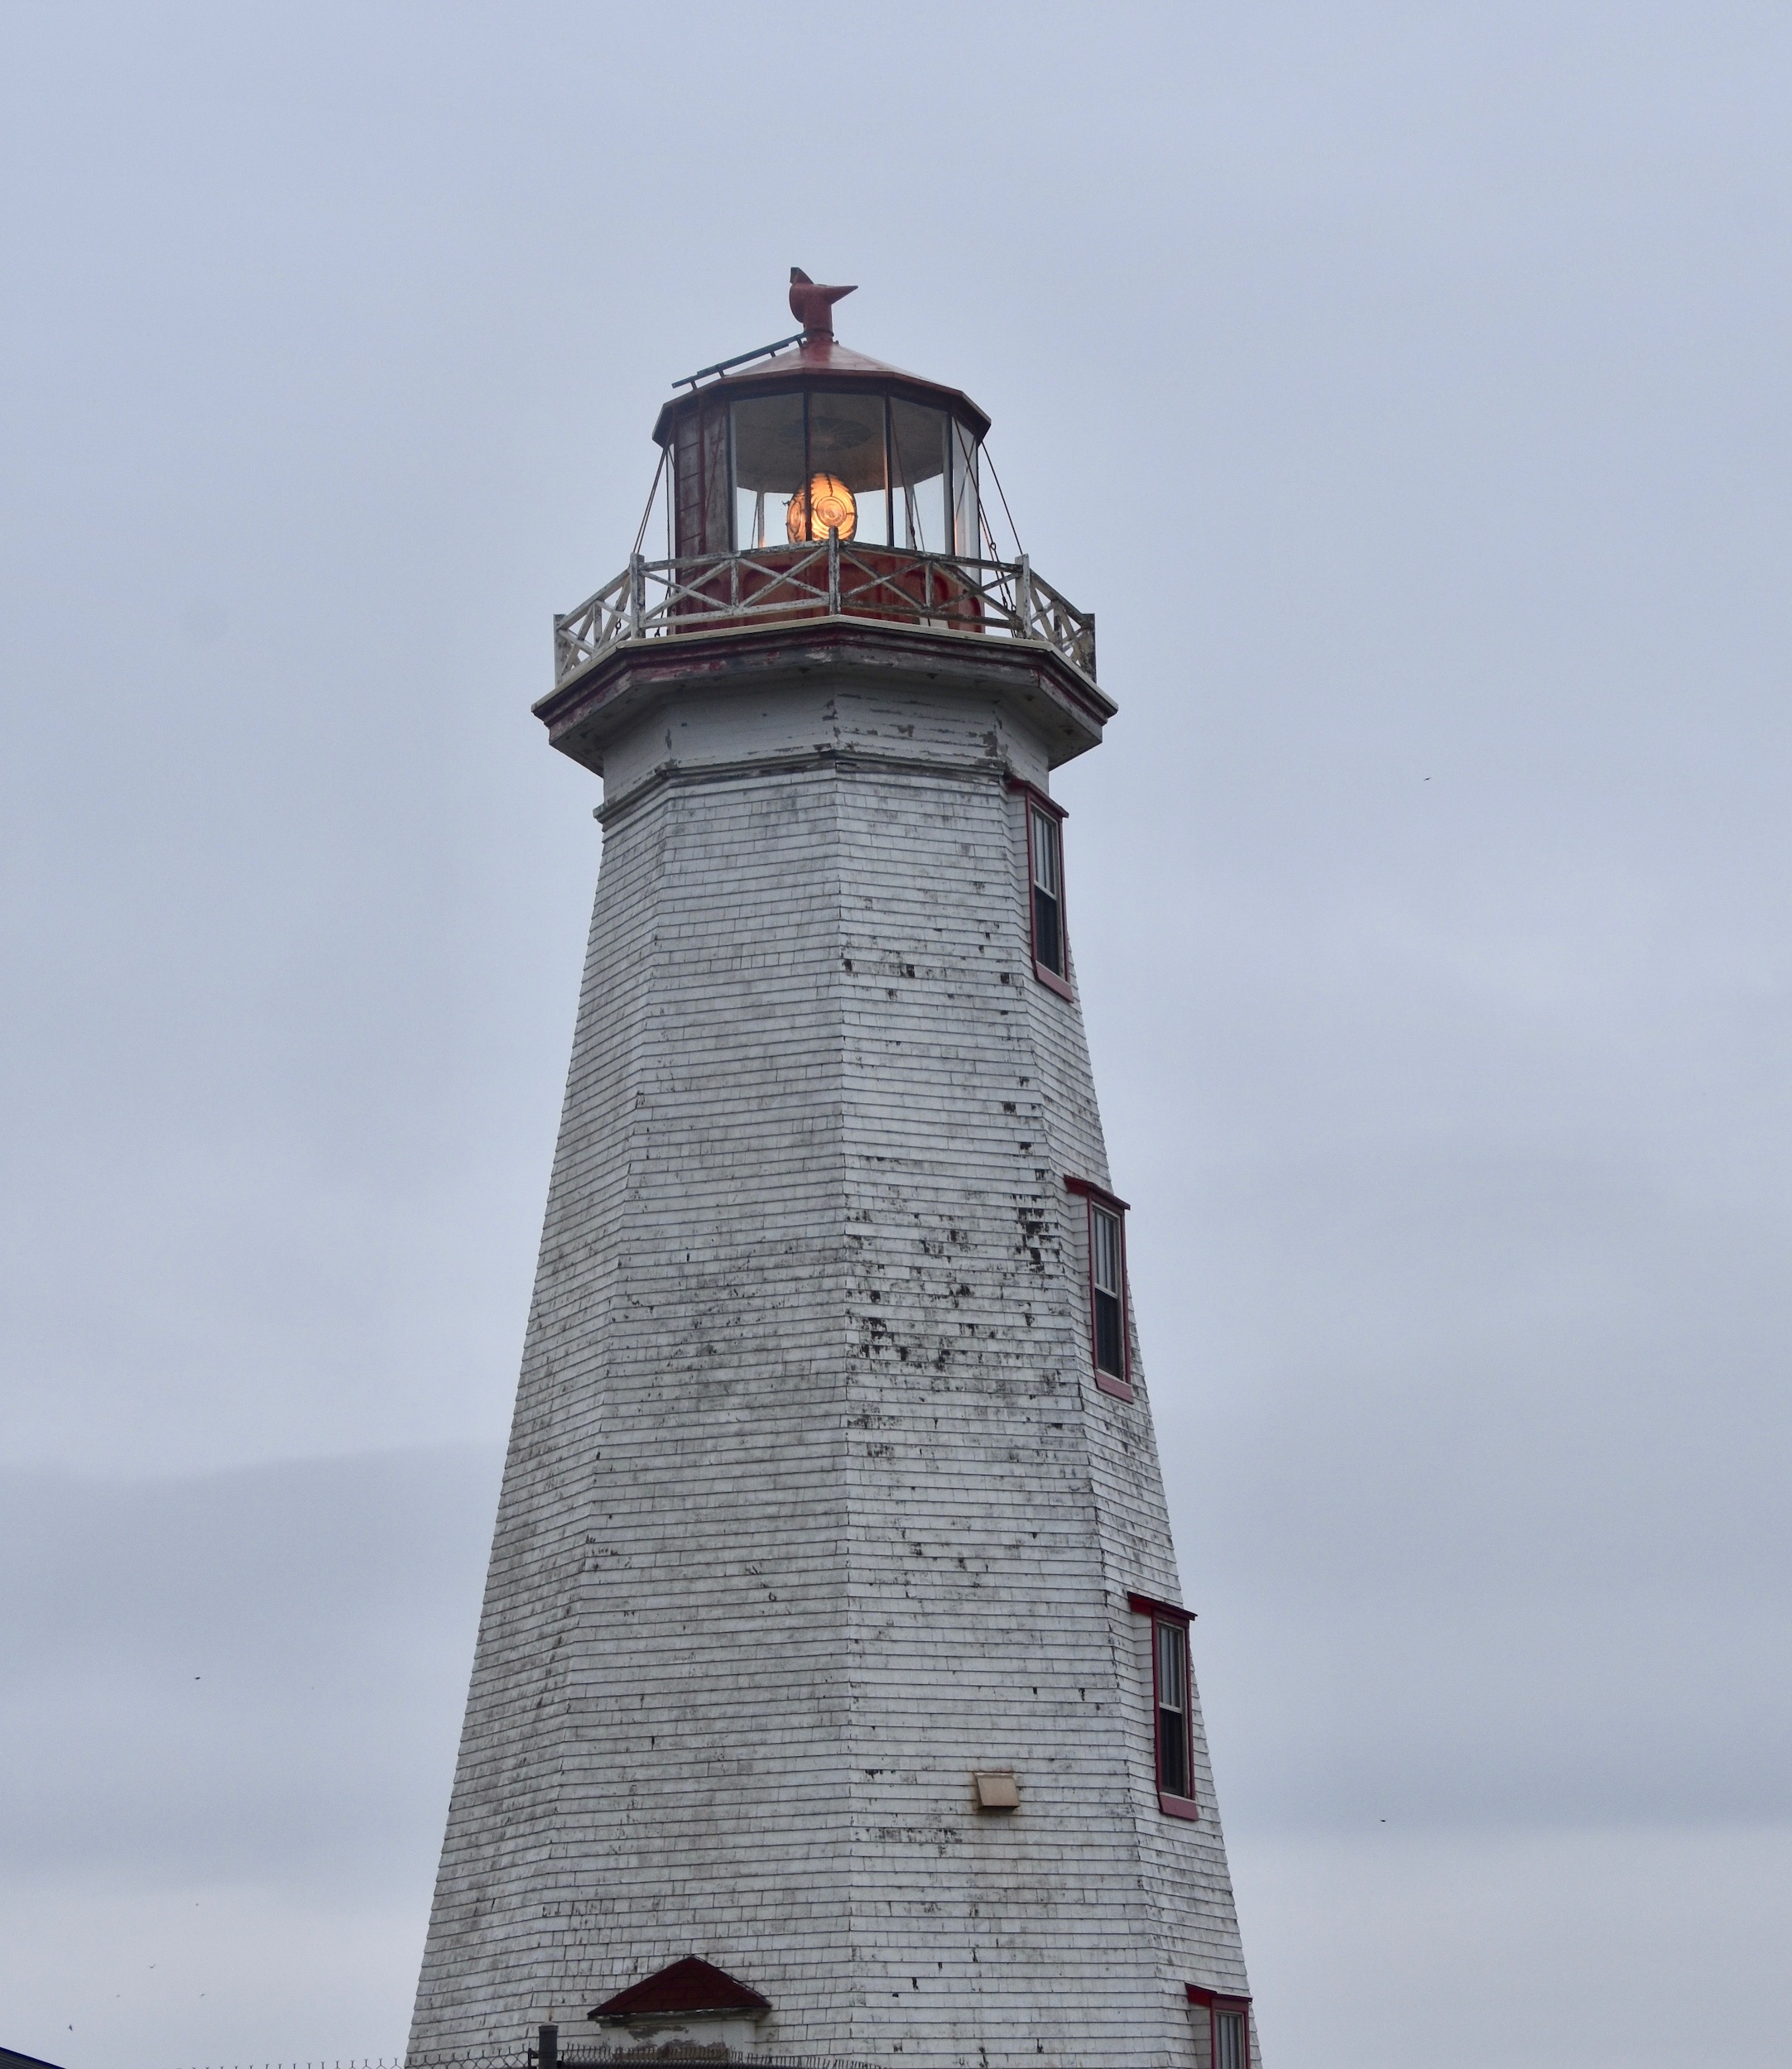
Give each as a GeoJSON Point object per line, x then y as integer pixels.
{"type": "Point", "coordinates": [835, 1685]}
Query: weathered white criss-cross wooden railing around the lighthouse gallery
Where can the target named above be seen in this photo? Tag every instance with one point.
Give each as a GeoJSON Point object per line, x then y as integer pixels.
{"type": "Point", "coordinates": [663, 599]}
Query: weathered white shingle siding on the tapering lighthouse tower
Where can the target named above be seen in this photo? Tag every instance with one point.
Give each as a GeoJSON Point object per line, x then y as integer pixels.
{"type": "Point", "coordinates": [812, 1509]}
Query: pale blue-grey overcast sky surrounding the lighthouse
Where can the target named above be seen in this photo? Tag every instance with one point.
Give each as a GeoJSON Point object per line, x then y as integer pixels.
{"type": "Point", "coordinates": [1406, 388]}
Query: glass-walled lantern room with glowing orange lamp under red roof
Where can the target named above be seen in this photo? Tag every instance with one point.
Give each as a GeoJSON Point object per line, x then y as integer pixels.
{"type": "Point", "coordinates": [820, 440]}
